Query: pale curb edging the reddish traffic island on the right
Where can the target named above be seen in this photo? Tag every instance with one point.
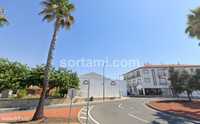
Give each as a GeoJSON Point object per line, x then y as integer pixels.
{"type": "Point", "coordinates": [172, 113]}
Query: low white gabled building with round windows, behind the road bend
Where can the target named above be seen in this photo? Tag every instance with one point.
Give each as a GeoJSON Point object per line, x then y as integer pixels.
{"type": "Point", "coordinates": [113, 88]}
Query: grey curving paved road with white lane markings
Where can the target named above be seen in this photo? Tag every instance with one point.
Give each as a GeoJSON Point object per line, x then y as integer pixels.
{"type": "Point", "coordinates": [132, 111]}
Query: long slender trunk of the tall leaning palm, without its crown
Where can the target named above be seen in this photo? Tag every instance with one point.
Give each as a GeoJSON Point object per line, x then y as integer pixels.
{"type": "Point", "coordinates": [39, 113]}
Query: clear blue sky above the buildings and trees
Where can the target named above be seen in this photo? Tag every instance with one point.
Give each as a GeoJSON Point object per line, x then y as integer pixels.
{"type": "Point", "coordinates": [149, 31]}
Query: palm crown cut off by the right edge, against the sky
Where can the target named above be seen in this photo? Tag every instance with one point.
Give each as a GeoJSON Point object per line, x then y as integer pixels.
{"type": "Point", "coordinates": [193, 25]}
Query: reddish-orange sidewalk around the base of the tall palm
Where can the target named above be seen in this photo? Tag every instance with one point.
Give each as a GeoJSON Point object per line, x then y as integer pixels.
{"type": "Point", "coordinates": [54, 115]}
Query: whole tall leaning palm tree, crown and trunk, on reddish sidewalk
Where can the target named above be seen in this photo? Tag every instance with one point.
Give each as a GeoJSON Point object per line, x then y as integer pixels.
{"type": "Point", "coordinates": [59, 12]}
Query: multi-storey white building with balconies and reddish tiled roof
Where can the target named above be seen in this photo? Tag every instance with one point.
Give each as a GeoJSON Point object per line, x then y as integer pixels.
{"type": "Point", "coordinates": [153, 79]}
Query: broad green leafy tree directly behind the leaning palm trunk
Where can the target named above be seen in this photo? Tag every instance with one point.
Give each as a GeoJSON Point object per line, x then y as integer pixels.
{"type": "Point", "coordinates": [61, 78]}
